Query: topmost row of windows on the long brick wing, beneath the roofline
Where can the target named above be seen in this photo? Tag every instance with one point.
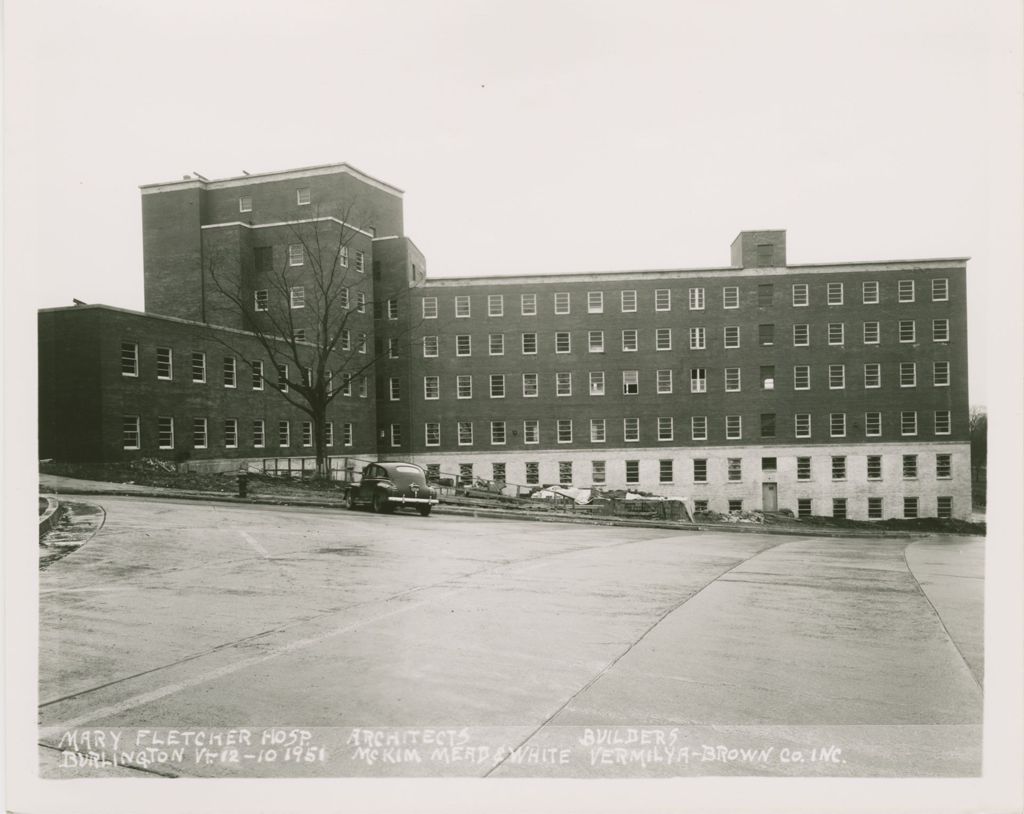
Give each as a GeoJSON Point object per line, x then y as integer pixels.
{"type": "Point", "coordinates": [835, 294]}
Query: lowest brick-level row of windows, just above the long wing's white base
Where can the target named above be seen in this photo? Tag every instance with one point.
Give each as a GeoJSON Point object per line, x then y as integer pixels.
{"type": "Point", "coordinates": [666, 429]}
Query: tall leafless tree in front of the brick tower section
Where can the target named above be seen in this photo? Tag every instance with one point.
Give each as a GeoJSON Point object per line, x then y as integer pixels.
{"type": "Point", "coordinates": [303, 306]}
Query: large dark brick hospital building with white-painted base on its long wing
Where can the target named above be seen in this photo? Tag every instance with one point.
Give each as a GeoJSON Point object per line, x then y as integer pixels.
{"type": "Point", "coordinates": [825, 389]}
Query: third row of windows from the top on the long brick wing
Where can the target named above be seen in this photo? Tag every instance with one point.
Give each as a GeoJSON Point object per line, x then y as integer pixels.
{"type": "Point", "coordinates": [664, 381]}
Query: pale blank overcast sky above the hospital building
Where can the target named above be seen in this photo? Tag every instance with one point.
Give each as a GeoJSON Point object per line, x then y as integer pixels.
{"type": "Point", "coordinates": [530, 138]}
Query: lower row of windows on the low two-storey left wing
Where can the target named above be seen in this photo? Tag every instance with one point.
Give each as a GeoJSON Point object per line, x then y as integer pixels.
{"type": "Point", "coordinates": [132, 435]}
